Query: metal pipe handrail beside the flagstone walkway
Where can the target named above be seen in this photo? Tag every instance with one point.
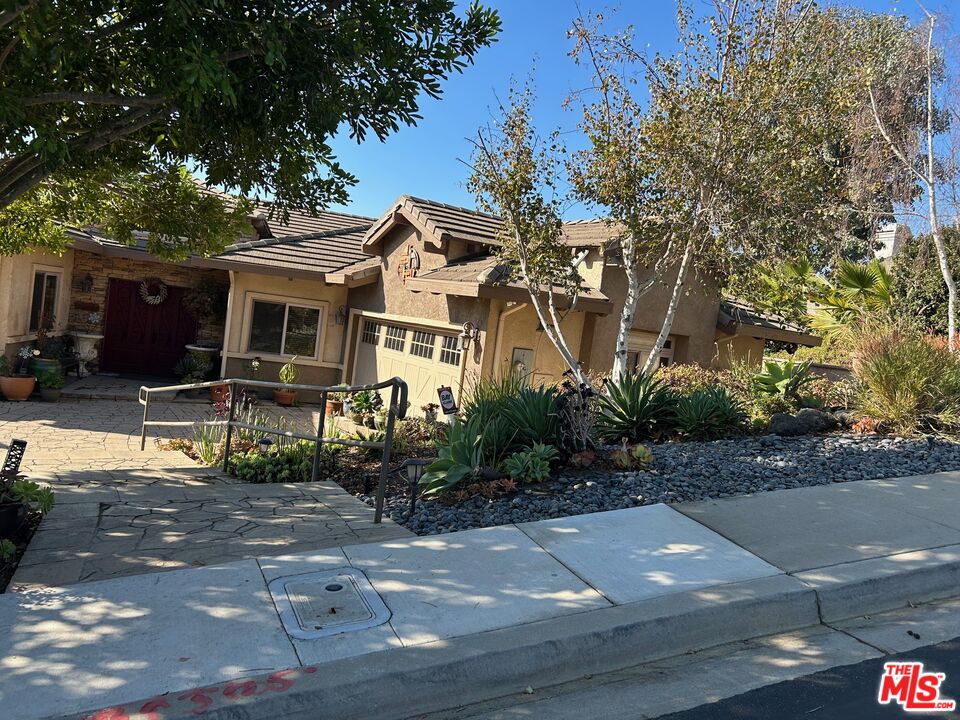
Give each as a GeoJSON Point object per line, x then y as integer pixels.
{"type": "Point", "coordinates": [396, 410]}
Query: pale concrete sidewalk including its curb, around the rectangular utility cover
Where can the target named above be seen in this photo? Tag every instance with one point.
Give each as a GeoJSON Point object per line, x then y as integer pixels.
{"type": "Point", "coordinates": [482, 612]}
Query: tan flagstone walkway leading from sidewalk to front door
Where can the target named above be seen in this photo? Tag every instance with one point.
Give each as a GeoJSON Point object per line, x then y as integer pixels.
{"type": "Point", "coordinates": [120, 511]}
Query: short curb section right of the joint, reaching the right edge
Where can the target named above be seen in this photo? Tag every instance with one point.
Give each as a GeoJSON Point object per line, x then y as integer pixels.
{"type": "Point", "coordinates": [870, 586]}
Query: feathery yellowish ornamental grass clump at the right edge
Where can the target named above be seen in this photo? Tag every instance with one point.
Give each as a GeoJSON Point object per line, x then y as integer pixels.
{"type": "Point", "coordinates": [909, 383]}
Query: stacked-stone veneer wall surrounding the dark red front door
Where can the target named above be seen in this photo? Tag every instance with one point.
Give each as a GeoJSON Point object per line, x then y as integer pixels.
{"type": "Point", "coordinates": [87, 308]}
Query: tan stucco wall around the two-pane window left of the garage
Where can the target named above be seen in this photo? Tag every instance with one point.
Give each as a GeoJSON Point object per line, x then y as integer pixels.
{"type": "Point", "coordinates": [325, 369]}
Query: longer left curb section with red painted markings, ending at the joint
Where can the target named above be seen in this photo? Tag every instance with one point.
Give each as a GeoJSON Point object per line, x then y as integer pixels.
{"type": "Point", "coordinates": [424, 678]}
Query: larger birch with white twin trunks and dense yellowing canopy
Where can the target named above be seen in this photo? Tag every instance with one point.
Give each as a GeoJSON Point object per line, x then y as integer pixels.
{"type": "Point", "coordinates": [735, 156]}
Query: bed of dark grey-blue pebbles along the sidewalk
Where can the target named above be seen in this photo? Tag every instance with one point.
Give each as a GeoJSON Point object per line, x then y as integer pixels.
{"type": "Point", "coordinates": [683, 472]}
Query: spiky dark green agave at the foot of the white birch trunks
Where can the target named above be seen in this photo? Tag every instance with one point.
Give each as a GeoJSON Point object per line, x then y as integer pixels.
{"type": "Point", "coordinates": [635, 408]}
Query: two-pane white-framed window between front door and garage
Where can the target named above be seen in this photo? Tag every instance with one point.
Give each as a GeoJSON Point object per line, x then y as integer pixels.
{"type": "Point", "coordinates": [284, 329]}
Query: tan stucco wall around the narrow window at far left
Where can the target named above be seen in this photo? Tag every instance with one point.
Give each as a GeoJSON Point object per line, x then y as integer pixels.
{"type": "Point", "coordinates": [16, 281]}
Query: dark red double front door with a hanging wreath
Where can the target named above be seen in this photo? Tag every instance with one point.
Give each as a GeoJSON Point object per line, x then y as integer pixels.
{"type": "Point", "coordinates": [144, 339]}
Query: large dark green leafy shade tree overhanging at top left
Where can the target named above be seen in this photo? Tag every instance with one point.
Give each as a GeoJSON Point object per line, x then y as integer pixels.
{"type": "Point", "coordinates": [103, 106]}
